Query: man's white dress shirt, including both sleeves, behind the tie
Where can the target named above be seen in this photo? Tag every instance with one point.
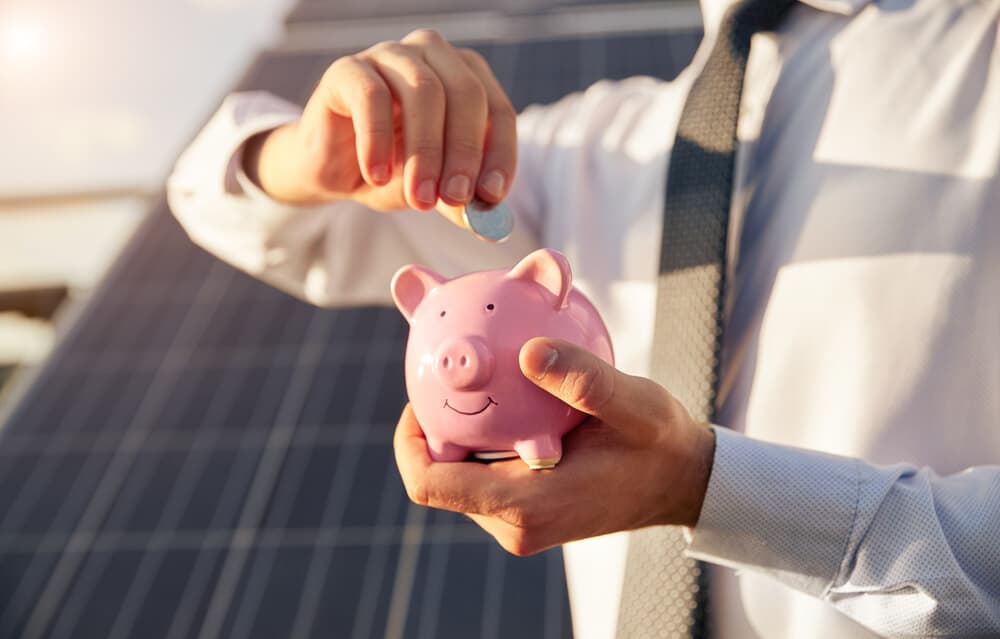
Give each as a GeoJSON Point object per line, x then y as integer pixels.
{"type": "Point", "coordinates": [863, 315]}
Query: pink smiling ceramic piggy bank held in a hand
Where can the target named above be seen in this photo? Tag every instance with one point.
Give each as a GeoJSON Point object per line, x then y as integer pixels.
{"type": "Point", "coordinates": [462, 372]}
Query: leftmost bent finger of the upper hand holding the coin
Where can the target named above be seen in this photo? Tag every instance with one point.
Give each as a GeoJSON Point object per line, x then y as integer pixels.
{"type": "Point", "coordinates": [353, 89]}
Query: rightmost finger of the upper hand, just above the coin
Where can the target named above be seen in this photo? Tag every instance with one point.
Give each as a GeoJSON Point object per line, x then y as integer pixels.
{"type": "Point", "coordinates": [500, 152]}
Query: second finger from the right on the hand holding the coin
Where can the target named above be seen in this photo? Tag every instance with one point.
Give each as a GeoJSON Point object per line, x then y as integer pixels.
{"type": "Point", "coordinates": [465, 116]}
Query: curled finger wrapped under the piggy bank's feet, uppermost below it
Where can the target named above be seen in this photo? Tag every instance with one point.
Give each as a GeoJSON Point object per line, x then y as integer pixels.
{"type": "Point", "coordinates": [457, 486]}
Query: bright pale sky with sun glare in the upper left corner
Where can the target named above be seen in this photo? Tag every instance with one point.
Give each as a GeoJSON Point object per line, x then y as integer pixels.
{"type": "Point", "coordinates": [103, 94]}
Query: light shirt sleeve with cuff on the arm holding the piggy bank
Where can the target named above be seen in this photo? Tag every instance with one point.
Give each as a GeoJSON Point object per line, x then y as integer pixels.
{"type": "Point", "coordinates": [899, 549]}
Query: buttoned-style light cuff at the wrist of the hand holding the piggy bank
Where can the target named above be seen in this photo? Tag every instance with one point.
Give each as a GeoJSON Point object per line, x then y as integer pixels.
{"type": "Point", "coordinates": [779, 510]}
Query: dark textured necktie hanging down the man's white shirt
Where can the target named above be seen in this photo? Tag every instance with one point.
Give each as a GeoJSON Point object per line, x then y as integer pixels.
{"type": "Point", "coordinates": [665, 593]}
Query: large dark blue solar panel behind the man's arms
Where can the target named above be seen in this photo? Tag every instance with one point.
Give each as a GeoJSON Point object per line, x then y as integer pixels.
{"type": "Point", "coordinates": [205, 456]}
